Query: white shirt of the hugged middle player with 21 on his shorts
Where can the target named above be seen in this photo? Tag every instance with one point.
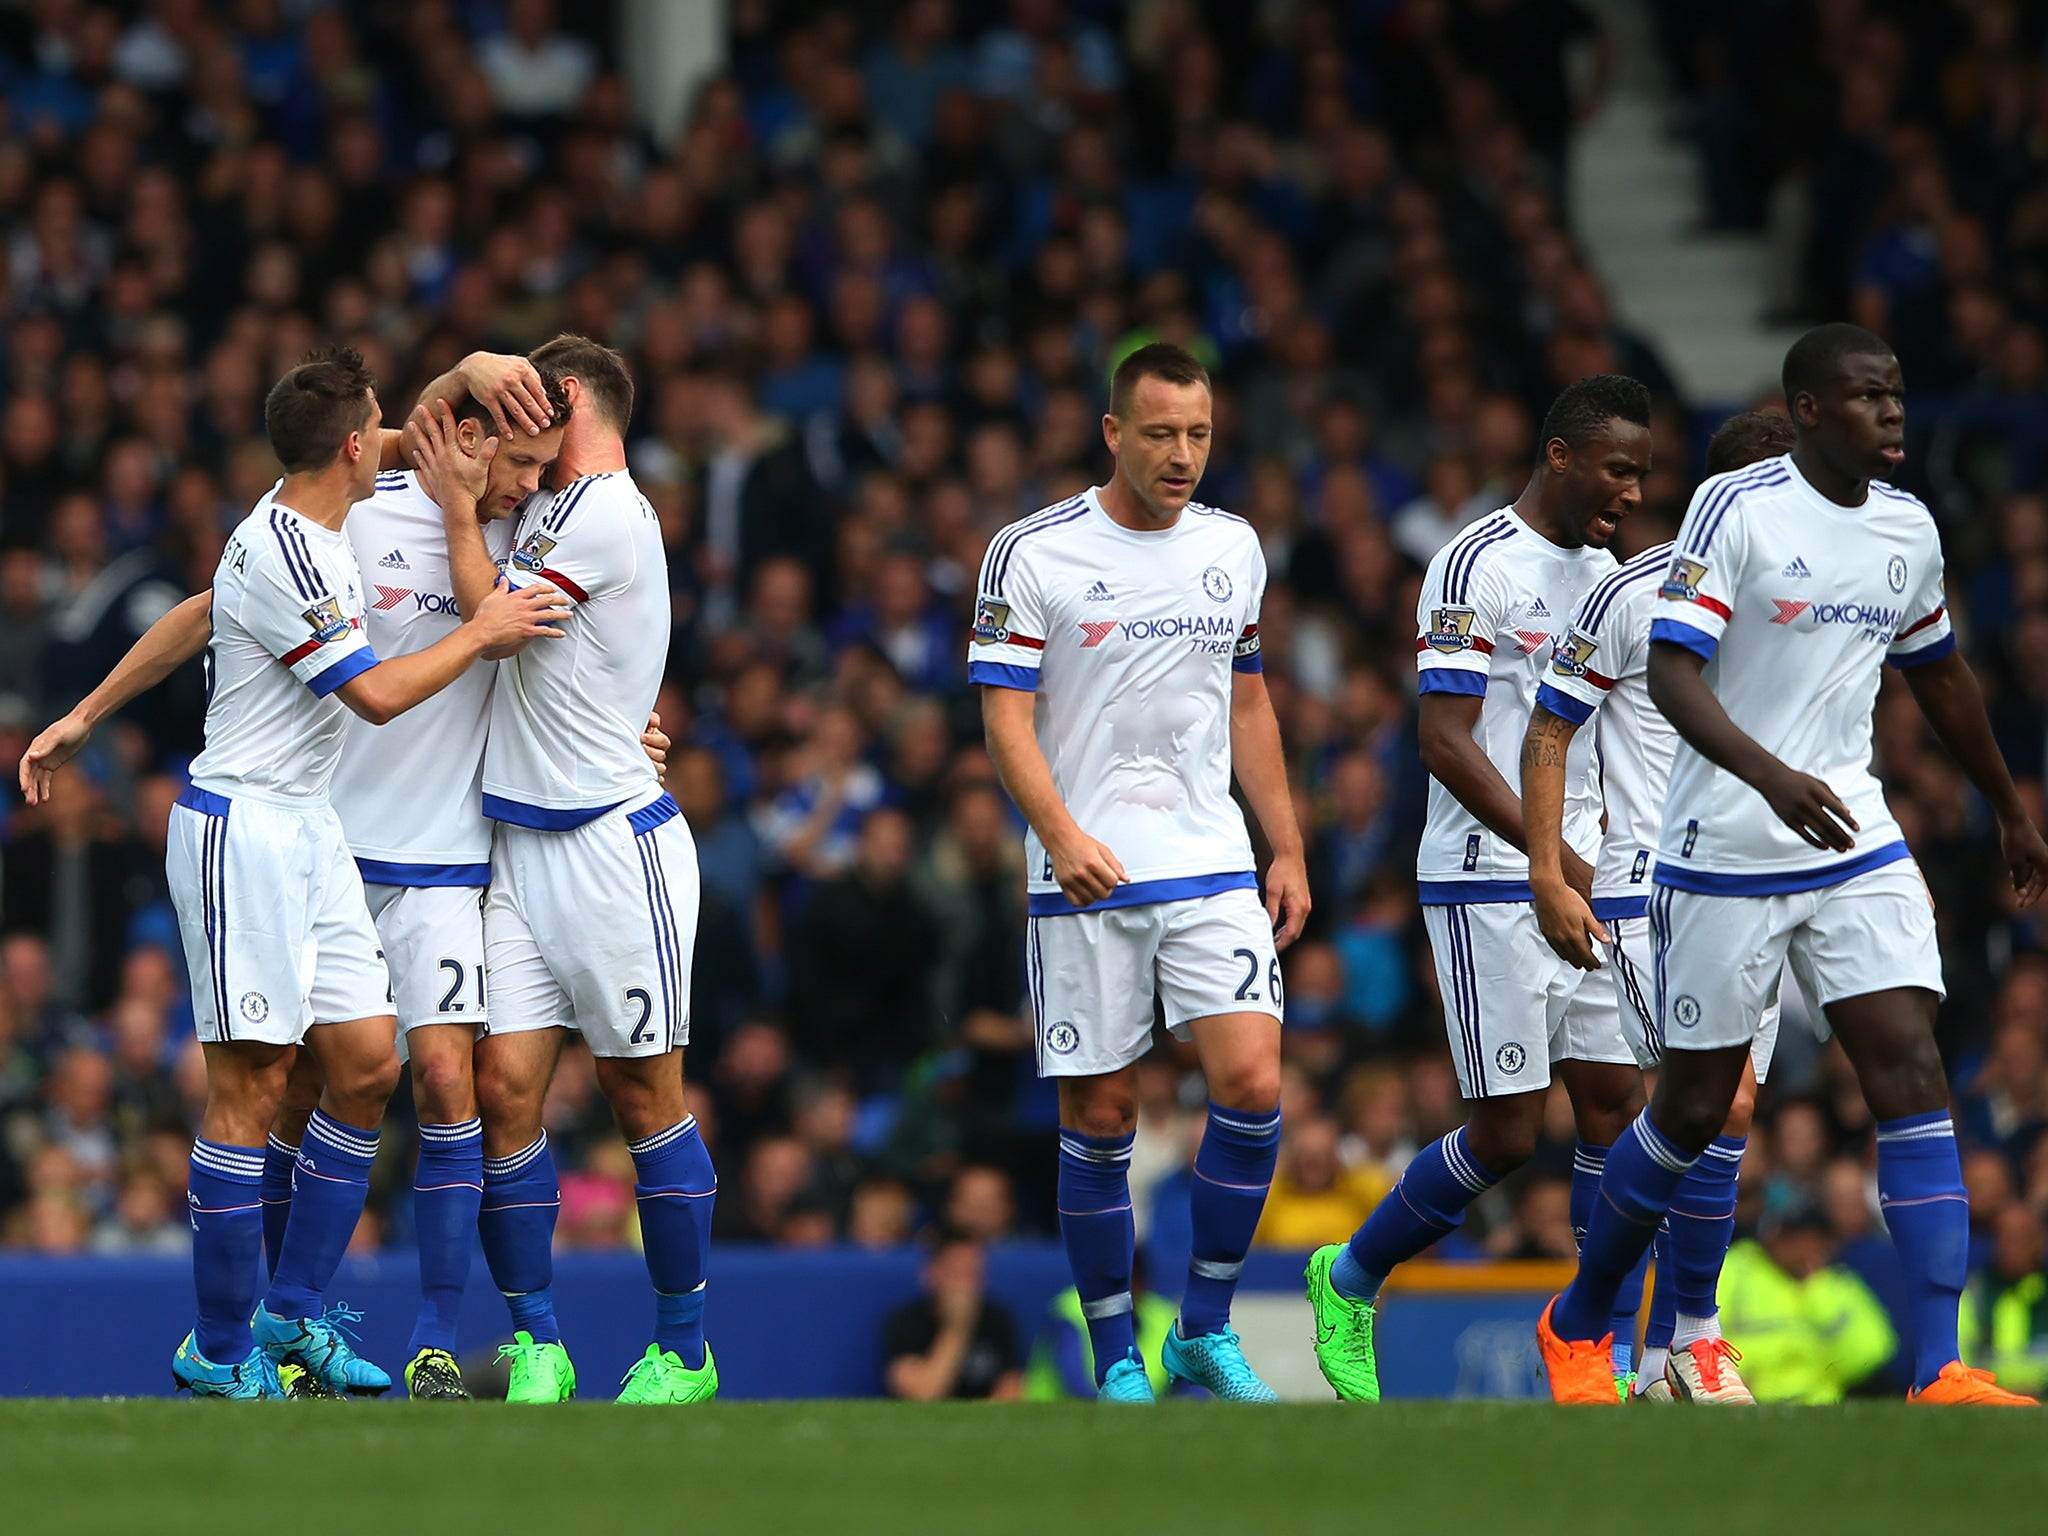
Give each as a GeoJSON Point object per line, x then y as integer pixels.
{"type": "Point", "coordinates": [411, 794]}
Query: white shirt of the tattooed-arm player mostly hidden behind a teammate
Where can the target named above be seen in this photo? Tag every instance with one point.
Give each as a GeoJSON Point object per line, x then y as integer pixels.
{"type": "Point", "coordinates": [1603, 665]}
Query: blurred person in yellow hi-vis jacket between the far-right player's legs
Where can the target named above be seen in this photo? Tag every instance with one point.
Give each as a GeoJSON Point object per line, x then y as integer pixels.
{"type": "Point", "coordinates": [1807, 1332]}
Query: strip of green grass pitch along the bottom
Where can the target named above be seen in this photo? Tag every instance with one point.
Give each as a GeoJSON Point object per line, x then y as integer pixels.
{"type": "Point", "coordinates": [882, 1467]}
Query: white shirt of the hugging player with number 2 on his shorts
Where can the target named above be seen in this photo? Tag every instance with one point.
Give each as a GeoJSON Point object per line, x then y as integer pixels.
{"type": "Point", "coordinates": [568, 714]}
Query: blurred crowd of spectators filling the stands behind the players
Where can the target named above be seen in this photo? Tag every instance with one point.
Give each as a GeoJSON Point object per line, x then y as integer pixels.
{"type": "Point", "coordinates": [871, 298]}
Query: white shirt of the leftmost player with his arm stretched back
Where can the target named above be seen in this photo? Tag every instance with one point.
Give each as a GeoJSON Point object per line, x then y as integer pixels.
{"type": "Point", "coordinates": [288, 632]}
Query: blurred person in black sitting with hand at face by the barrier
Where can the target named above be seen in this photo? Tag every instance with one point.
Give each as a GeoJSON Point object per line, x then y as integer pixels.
{"type": "Point", "coordinates": [953, 1340]}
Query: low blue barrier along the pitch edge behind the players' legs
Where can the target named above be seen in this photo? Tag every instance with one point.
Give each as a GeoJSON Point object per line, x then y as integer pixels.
{"type": "Point", "coordinates": [783, 1322]}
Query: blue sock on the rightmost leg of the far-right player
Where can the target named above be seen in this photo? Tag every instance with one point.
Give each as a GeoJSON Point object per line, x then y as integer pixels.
{"type": "Point", "coordinates": [1928, 1213]}
